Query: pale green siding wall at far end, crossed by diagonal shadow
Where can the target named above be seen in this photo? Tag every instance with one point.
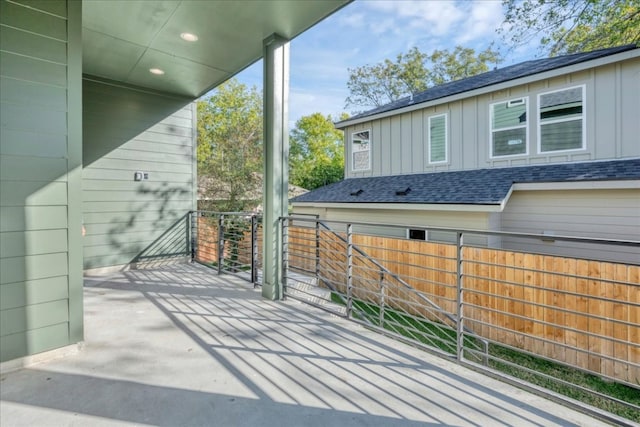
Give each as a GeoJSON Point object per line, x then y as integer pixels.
{"type": "Point", "coordinates": [128, 130]}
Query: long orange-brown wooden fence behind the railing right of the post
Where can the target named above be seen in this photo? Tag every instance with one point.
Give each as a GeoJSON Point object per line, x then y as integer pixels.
{"type": "Point", "coordinates": [581, 312]}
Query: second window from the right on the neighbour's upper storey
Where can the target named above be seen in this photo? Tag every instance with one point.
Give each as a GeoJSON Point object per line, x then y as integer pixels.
{"type": "Point", "coordinates": [509, 127]}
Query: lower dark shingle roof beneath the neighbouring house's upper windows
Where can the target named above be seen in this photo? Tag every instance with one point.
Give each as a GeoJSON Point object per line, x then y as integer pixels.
{"type": "Point", "coordinates": [476, 187]}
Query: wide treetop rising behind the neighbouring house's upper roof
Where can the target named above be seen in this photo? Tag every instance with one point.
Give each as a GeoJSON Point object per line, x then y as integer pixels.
{"type": "Point", "coordinates": [412, 72]}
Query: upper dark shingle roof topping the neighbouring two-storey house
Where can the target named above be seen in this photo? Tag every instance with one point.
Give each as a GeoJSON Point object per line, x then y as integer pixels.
{"type": "Point", "coordinates": [489, 78]}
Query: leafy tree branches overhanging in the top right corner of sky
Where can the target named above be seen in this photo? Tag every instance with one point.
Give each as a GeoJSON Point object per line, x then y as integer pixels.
{"type": "Point", "coordinates": [570, 26]}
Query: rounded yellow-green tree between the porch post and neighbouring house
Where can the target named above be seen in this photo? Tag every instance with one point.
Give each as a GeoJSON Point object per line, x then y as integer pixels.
{"type": "Point", "coordinates": [316, 153]}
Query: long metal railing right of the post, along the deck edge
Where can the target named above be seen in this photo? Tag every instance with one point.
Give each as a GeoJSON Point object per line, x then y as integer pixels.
{"type": "Point", "coordinates": [518, 314]}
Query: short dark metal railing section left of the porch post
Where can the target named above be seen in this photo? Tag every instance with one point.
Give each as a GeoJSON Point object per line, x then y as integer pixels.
{"type": "Point", "coordinates": [230, 242]}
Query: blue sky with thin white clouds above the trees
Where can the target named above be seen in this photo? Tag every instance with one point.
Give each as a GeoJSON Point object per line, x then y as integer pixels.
{"type": "Point", "coordinates": [369, 31]}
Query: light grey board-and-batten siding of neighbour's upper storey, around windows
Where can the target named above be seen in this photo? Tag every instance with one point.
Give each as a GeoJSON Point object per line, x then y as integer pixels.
{"type": "Point", "coordinates": [399, 139]}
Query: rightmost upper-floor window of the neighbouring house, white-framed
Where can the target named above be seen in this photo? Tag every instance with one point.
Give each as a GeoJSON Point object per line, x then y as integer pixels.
{"type": "Point", "coordinates": [561, 116]}
